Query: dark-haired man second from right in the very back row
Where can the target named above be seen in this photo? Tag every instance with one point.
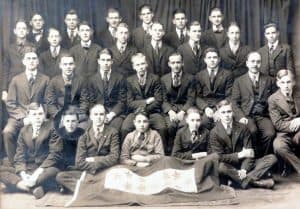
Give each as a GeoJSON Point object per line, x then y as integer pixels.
{"type": "Point", "coordinates": [179, 35]}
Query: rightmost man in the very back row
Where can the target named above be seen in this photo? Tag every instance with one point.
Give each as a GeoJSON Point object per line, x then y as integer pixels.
{"type": "Point", "coordinates": [216, 36]}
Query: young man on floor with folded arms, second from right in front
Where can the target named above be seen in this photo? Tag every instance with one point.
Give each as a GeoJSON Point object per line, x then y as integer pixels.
{"type": "Point", "coordinates": [191, 142]}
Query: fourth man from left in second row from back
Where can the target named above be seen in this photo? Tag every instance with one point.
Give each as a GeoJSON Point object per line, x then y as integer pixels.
{"type": "Point", "coordinates": [123, 51]}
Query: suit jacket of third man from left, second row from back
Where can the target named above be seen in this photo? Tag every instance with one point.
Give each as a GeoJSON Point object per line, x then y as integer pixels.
{"type": "Point", "coordinates": [86, 61]}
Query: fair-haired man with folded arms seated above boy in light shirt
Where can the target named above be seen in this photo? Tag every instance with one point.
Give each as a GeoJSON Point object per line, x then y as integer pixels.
{"type": "Point", "coordinates": [144, 91]}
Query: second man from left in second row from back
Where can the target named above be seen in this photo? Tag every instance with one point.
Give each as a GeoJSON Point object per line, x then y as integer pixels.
{"type": "Point", "coordinates": [49, 60]}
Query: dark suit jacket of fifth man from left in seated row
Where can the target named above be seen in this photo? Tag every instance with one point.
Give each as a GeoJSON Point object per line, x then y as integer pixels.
{"type": "Point", "coordinates": [182, 99]}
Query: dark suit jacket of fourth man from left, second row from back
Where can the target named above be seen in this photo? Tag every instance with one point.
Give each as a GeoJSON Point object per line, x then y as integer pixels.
{"type": "Point", "coordinates": [122, 62]}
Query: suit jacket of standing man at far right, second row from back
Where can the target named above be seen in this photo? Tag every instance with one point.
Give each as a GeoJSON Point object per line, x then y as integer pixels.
{"type": "Point", "coordinates": [282, 59]}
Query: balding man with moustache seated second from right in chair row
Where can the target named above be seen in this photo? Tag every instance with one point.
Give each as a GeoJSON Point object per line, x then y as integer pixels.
{"type": "Point", "coordinates": [250, 95]}
